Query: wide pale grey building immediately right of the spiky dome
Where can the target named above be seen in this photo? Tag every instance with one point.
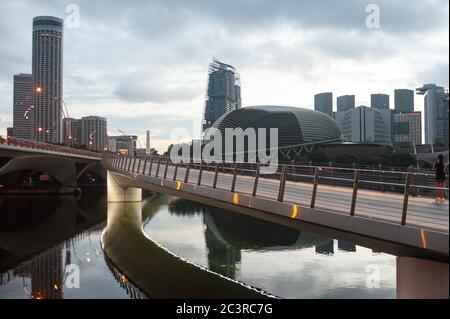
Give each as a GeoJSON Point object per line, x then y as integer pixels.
{"type": "Point", "coordinates": [367, 125]}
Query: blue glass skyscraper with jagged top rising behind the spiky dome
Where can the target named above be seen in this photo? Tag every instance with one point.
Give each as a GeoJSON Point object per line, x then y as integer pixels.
{"type": "Point", "coordinates": [223, 93]}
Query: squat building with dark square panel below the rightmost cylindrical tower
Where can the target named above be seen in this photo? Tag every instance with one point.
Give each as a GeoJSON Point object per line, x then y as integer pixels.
{"type": "Point", "coordinates": [408, 129]}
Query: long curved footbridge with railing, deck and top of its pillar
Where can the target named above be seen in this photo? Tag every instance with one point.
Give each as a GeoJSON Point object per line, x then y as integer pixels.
{"type": "Point", "coordinates": [390, 211]}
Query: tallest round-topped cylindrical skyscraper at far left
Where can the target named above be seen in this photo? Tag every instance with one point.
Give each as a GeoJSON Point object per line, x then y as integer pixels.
{"type": "Point", "coordinates": [47, 80]}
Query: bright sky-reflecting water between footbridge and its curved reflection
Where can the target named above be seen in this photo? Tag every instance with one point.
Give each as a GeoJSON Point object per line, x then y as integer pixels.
{"type": "Point", "coordinates": [283, 261]}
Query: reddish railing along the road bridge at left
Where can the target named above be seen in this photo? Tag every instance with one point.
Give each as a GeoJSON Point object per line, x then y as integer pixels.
{"type": "Point", "coordinates": [23, 143]}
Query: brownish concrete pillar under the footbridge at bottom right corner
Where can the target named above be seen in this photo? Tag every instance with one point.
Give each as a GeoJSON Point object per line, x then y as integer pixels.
{"type": "Point", "coordinates": [421, 278]}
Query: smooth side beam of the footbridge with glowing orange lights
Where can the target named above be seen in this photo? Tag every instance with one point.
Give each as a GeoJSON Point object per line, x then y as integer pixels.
{"type": "Point", "coordinates": [378, 235]}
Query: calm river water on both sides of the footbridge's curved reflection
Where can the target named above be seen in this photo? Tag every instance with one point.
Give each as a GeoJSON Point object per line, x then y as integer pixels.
{"type": "Point", "coordinates": [285, 262]}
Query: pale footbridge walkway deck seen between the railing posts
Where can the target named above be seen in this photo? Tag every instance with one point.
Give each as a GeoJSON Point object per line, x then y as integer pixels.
{"type": "Point", "coordinates": [422, 211]}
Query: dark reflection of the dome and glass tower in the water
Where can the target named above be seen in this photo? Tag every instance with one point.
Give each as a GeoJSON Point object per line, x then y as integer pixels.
{"type": "Point", "coordinates": [227, 234]}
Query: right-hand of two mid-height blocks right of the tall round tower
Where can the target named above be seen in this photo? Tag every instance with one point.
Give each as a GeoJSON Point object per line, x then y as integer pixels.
{"type": "Point", "coordinates": [94, 133]}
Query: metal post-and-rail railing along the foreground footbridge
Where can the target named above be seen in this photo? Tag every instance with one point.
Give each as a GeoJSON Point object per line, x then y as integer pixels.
{"type": "Point", "coordinates": [408, 188]}
